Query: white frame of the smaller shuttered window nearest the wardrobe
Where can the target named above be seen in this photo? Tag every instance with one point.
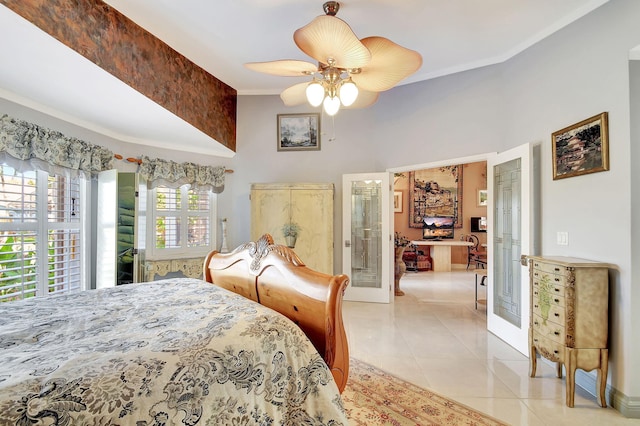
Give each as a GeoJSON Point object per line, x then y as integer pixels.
{"type": "Point", "coordinates": [184, 252]}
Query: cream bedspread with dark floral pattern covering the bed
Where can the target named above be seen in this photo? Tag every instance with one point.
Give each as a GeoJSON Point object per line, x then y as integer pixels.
{"type": "Point", "coordinates": [170, 352]}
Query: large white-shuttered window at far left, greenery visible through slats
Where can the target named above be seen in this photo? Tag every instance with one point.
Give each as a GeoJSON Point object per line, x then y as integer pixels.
{"type": "Point", "coordinates": [40, 234]}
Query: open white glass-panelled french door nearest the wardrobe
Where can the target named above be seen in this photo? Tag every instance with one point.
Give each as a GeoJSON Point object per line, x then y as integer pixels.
{"type": "Point", "coordinates": [366, 231]}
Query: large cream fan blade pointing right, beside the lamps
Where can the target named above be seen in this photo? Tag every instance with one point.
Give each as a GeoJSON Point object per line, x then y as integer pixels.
{"type": "Point", "coordinates": [390, 63]}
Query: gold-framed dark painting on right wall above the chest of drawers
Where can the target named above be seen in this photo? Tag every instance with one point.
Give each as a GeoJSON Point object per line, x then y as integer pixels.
{"type": "Point", "coordinates": [581, 148]}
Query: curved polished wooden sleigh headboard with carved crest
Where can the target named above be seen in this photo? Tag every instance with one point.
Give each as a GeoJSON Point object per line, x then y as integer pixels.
{"type": "Point", "coordinates": [274, 276]}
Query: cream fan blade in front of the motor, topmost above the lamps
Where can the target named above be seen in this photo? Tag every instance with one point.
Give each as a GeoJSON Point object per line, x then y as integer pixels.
{"type": "Point", "coordinates": [329, 38]}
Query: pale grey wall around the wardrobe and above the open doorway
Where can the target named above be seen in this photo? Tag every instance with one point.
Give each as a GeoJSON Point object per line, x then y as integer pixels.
{"type": "Point", "coordinates": [411, 124]}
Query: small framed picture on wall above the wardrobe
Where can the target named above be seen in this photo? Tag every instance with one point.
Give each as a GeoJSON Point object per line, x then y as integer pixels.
{"type": "Point", "coordinates": [299, 132]}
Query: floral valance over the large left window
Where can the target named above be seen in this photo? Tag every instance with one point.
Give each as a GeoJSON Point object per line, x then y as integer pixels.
{"type": "Point", "coordinates": [49, 150]}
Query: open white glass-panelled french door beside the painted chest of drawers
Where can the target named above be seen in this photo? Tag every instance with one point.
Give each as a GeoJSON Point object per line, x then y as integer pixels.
{"type": "Point", "coordinates": [511, 234]}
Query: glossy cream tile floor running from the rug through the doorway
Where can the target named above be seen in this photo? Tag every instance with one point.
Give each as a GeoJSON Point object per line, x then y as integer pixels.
{"type": "Point", "coordinates": [434, 337]}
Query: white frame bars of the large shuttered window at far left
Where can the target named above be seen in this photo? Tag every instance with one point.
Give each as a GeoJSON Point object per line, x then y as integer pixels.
{"type": "Point", "coordinates": [42, 226]}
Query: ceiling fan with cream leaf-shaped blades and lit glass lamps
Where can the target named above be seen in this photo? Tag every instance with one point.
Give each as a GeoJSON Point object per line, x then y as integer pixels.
{"type": "Point", "coordinates": [350, 72]}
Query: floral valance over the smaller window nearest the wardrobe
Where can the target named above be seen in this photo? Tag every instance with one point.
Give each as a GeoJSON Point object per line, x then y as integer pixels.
{"type": "Point", "coordinates": [172, 174]}
